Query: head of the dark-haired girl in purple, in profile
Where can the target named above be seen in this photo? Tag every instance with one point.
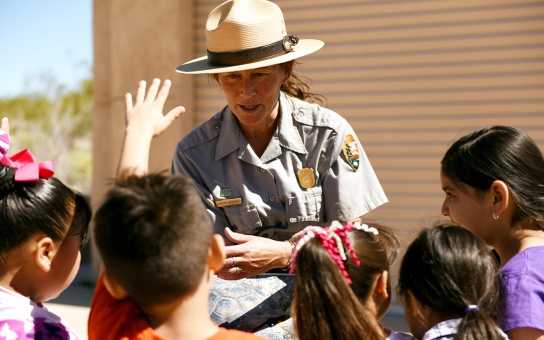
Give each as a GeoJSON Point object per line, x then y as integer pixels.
{"type": "Point", "coordinates": [486, 165]}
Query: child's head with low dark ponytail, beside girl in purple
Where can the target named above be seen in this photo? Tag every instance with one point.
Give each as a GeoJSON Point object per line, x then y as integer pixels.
{"type": "Point", "coordinates": [449, 273]}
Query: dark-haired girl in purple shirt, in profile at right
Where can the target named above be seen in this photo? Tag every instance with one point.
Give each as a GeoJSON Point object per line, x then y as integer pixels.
{"type": "Point", "coordinates": [494, 184]}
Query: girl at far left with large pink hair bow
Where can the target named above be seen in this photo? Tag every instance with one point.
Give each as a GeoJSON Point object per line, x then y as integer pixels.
{"type": "Point", "coordinates": [43, 225]}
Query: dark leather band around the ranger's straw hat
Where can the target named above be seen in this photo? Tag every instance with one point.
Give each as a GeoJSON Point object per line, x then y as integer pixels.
{"type": "Point", "coordinates": [253, 54]}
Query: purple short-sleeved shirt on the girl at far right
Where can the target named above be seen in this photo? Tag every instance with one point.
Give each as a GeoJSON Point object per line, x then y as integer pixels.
{"type": "Point", "coordinates": [523, 279]}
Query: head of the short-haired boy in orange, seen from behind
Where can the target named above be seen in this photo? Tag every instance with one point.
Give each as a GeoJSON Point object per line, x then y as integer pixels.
{"type": "Point", "coordinates": [154, 236]}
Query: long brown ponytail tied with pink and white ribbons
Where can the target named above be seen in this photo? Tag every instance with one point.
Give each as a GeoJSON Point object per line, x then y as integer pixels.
{"type": "Point", "coordinates": [324, 305]}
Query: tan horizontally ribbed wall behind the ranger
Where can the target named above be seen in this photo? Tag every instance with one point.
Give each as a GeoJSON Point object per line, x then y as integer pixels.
{"type": "Point", "coordinates": [411, 76]}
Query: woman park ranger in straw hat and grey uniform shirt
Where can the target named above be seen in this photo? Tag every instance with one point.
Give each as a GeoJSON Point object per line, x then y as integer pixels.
{"type": "Point", "coordinates": [272, 161]}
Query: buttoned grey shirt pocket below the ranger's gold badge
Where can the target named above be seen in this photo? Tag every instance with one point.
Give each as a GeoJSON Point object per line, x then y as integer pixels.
{"type": "Point", "coordinates": [306, 207]}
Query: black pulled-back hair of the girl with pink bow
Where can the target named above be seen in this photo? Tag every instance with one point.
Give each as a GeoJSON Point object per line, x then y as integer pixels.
{"type": "Point", "coordinates": [46, 206]}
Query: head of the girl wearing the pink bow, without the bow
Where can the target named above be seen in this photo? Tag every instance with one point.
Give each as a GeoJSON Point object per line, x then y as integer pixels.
{"type": "Point", "coordinates": [46, 221]}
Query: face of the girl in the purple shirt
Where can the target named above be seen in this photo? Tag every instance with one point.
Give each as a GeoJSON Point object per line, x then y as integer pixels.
{"type": "Point", "coordinates": [468, 208]}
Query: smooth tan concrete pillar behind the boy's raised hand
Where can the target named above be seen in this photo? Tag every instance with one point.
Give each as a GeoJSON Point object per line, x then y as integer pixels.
{"type": "Point", "coordinates": [137, 40]}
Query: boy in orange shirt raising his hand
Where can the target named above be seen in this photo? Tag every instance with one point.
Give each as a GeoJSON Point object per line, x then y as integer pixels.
{"type": "Point", "coordinates": [156, 241]}
